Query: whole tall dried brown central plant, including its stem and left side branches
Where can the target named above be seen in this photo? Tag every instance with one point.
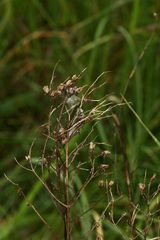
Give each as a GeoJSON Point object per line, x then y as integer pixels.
{"type": "Point", "coordinates": [72, 109]}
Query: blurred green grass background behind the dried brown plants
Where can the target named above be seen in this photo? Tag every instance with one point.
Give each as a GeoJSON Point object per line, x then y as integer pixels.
{"type": "Point", "coordinates": [100, 35]}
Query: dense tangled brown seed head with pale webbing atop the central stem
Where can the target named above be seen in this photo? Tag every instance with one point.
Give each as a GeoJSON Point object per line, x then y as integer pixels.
{"type": "Point", "coordinates": [76, 107]}
